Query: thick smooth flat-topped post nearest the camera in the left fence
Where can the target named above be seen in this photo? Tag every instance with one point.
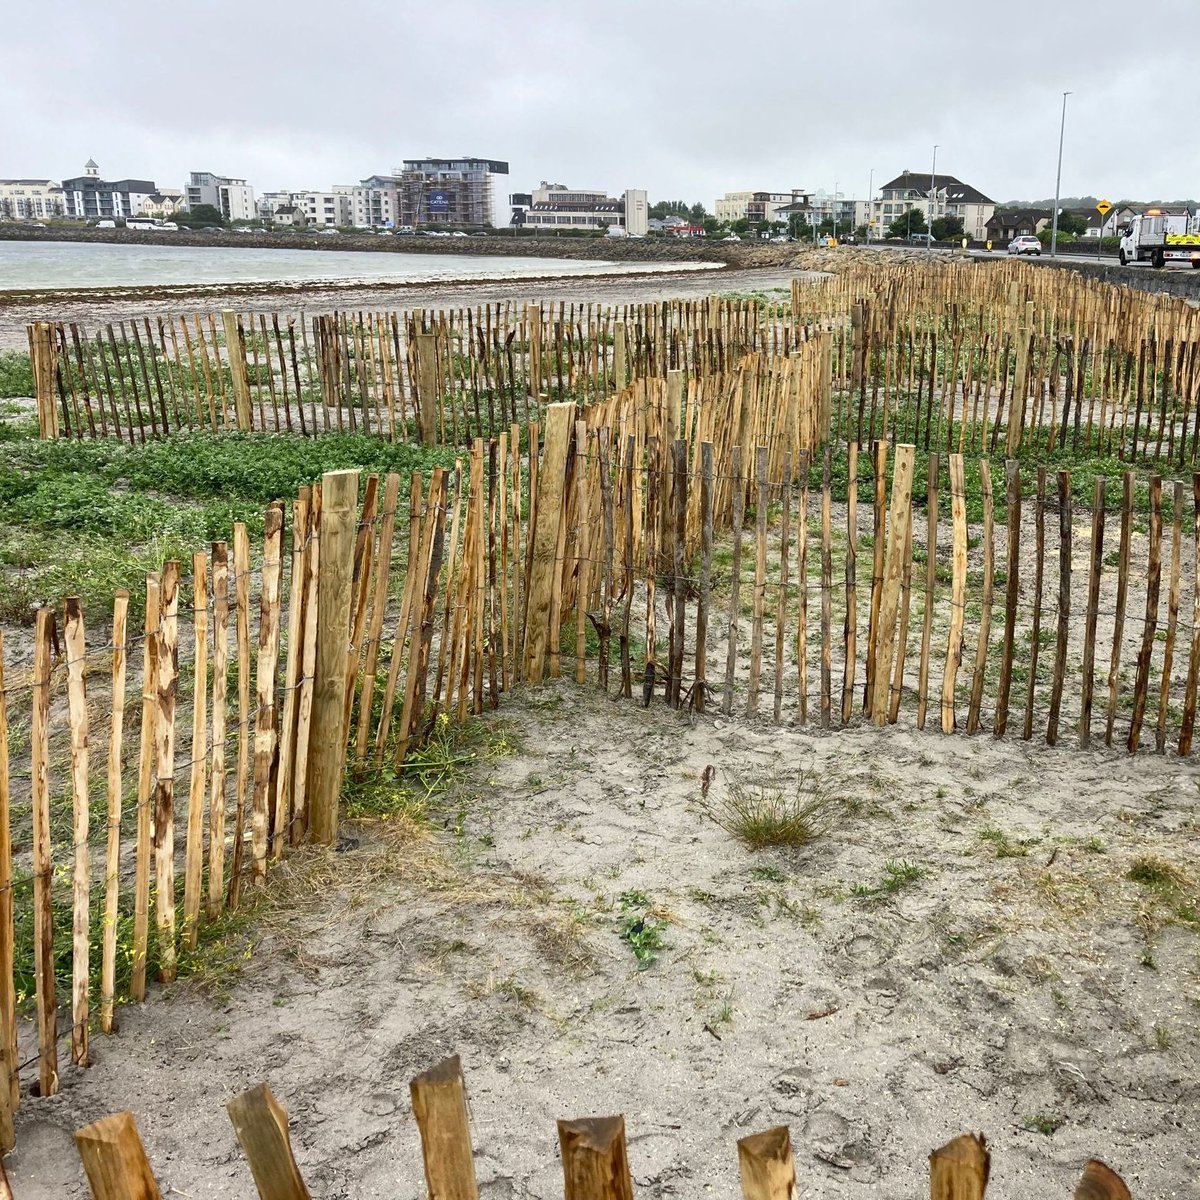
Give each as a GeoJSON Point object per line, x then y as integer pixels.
{"type": "Point", "coordinates": [339, 506]}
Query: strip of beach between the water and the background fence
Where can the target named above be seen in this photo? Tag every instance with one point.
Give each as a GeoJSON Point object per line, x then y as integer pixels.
{"type": "Point", "coordinates": [603, 290]}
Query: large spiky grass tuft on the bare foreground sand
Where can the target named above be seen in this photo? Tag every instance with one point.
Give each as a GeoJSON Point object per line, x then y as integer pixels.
{"type": "Point", "coordinates": [763, 814]}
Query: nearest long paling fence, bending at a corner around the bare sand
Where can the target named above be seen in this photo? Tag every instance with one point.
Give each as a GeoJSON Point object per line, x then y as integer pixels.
{"type": "Point", "coordinates": [682, 542]}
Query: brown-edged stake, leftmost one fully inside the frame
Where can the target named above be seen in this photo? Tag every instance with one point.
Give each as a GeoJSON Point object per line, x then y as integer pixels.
{"type": "Point", "coordinates": [46, 640]}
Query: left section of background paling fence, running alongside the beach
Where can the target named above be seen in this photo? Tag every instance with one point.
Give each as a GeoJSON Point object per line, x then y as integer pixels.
{"type": "Point", "coordinates": [443, 377]}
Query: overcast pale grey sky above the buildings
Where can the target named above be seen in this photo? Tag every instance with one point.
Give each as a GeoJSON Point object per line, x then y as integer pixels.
{"type": "Point", "coordinates": [686, 100]}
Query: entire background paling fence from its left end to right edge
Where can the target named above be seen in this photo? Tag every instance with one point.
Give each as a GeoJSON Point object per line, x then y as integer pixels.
{"type": "Point", "coordinates": [976, 357]}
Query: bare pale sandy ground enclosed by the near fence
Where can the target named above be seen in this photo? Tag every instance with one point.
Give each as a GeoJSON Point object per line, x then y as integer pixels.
{"type": "Point", "coordinates": [987, 993]}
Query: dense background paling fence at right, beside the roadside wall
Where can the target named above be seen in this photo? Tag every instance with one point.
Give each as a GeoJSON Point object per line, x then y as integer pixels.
{"type": "Point", "coordinates": [959, 356]}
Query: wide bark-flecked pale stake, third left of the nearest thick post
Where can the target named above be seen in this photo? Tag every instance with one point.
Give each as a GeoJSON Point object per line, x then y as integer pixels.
{"type": "Point", "coordinates": [266, 724]}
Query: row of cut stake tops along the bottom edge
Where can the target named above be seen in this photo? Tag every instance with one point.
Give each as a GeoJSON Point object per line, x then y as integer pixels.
{"type": "Point", "coordinates": [593, 1154]}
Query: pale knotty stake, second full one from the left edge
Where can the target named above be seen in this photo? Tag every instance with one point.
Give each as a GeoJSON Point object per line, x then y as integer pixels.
{"type": "Point", "coordinates": [81, 927]}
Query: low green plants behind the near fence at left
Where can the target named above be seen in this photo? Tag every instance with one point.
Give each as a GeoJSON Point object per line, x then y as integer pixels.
{"type": "Point", "coordinates": [91, 518]}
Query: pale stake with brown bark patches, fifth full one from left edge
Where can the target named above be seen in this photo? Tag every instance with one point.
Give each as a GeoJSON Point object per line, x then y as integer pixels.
{"type": "Point", "coordinates": [167, 689]}
